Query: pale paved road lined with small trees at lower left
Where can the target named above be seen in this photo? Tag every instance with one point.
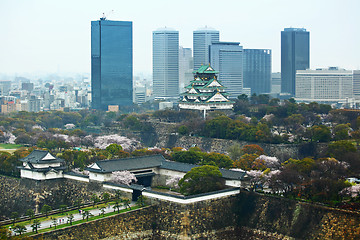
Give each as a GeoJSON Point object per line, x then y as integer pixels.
{"type": "Point", "coordinates": [77, 216]}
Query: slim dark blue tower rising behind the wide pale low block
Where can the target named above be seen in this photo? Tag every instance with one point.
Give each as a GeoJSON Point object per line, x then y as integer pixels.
{"type": "Point", "coordinates": [295, 55]}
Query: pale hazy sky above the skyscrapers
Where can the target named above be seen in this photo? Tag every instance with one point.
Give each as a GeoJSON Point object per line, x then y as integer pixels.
{"type": "Point", "coordinates": [54, 35]}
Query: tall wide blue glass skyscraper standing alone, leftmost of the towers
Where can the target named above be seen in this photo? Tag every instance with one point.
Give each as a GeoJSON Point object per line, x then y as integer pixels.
{"type": "Point", "coordinates": [111, 63]}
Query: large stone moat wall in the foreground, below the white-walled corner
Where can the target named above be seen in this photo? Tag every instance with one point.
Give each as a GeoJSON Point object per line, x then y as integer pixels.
{"type": "Point", "coordinates": [245, 216]}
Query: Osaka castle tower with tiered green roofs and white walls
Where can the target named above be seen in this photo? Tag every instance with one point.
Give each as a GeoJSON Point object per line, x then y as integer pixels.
{"type": "Point", "coordinates": [205, 92]}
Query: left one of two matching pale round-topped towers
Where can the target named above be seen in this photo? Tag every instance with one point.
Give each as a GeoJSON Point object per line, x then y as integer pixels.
{"type": "Point", "coordinates": [166, 63]}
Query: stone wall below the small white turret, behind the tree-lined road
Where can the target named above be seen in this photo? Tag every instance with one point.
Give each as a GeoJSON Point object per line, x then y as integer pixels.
{"type": "Point", "coordinates": [18, 195]}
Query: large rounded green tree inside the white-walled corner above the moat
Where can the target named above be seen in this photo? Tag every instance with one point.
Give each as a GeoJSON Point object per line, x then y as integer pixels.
{"type": "Point", "coordinates": [201, 179]}
